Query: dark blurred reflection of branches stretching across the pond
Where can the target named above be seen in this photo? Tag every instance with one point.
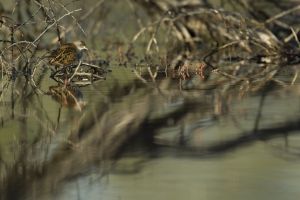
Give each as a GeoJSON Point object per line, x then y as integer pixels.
{"type": "Point", "coordinates": [133, 119]}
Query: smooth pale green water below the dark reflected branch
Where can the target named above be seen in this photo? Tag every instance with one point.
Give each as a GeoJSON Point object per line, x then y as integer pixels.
{"type": "Point", "coordinates": [247, 173]}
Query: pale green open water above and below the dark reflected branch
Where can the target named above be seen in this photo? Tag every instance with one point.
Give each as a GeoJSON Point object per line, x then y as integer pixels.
{"type": "Point", "coordinates": [256, 170]}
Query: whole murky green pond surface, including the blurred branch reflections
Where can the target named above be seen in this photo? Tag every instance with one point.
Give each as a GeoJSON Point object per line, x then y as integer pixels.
{"type": "Point", "coordinates": [158, 127]}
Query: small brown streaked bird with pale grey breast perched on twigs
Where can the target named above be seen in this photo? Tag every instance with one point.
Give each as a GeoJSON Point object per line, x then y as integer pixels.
{"type": "Point", "coordinates": [67, 54]}
